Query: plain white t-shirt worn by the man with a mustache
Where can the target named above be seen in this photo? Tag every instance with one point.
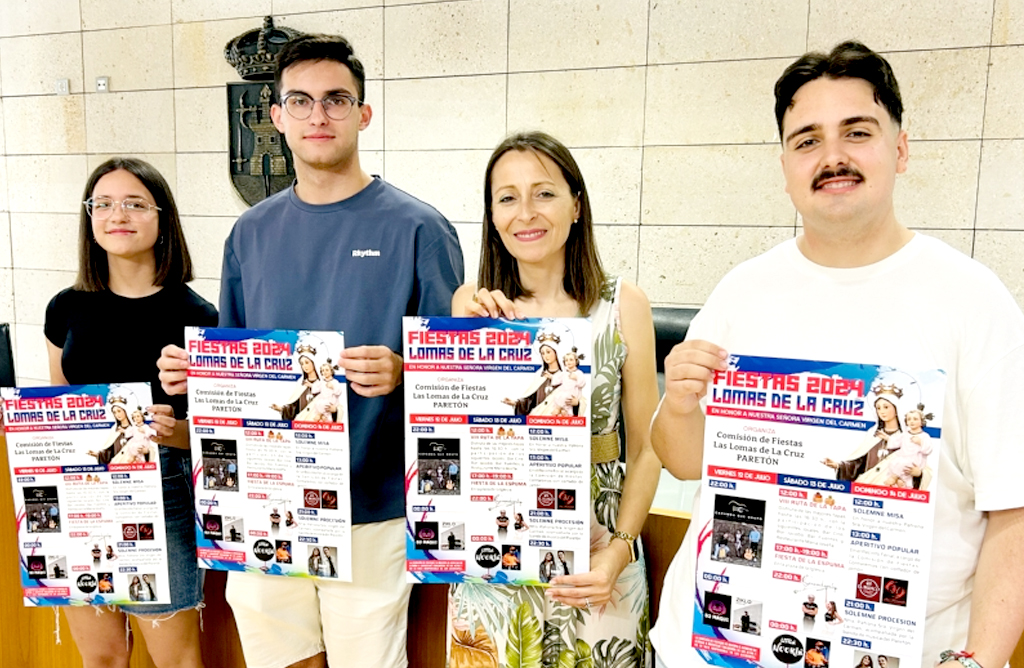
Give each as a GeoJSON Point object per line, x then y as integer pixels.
{"type": "Point", "coordinates": [781, 305]}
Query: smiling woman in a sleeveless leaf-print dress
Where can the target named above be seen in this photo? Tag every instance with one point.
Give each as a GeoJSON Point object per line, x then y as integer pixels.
{"type": "Point", "coordinates": [539, 260]}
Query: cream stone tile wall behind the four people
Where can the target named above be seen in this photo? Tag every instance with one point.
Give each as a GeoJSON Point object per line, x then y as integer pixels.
{"type": "Point", "coordinates": [667, 105]}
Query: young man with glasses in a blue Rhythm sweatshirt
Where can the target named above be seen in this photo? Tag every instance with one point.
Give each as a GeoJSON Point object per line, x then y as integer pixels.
{"type": "Point", "coordinates": [342, 250]}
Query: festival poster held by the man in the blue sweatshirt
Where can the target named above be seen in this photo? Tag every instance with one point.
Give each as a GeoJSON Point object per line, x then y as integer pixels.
{"type": "Point", "coordinates": [271, 453]}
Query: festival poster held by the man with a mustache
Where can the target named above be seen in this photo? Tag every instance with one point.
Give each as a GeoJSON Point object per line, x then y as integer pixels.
{"type": "Point", "coordinates": [818, 510]}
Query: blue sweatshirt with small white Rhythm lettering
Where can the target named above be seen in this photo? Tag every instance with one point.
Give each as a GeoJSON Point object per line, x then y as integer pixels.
{"type": "Point", "coordinates": [357, 266]}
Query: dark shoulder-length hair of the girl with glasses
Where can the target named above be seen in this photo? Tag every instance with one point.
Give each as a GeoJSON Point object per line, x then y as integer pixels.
{"type": "Point", "coordinates": [172, 253]}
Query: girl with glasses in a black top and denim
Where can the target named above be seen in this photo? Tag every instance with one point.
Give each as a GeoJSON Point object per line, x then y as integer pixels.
{"type": "Point", "coordinates": [131, 301]}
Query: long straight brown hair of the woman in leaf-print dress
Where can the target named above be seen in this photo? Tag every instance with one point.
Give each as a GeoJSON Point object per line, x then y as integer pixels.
{"type": "Point", "coordinates": [584, 274]}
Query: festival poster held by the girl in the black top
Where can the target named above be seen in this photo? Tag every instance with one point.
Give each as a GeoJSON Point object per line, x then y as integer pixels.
{"type": "Point", "coordinates": [89, 496]}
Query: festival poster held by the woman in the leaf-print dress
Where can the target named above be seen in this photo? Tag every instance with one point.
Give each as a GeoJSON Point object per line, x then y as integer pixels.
{"type": "Point", "coordinates": [497, 449]}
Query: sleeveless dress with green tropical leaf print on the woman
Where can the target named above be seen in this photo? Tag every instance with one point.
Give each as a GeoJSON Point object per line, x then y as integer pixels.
{"type": "Point", "coordinates": [504, 627]}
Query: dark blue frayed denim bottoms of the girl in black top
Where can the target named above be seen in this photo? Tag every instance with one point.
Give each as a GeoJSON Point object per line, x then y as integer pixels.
{"type": "Point", "coordinates": [180, 519]}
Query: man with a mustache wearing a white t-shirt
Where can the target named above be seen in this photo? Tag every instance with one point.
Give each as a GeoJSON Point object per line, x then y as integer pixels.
{"type": "Point", "coordinates": [835, 294]}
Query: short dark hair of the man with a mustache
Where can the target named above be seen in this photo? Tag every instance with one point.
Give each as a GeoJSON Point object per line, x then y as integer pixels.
{"type": "Point", "coordinates": [847, 61]}
